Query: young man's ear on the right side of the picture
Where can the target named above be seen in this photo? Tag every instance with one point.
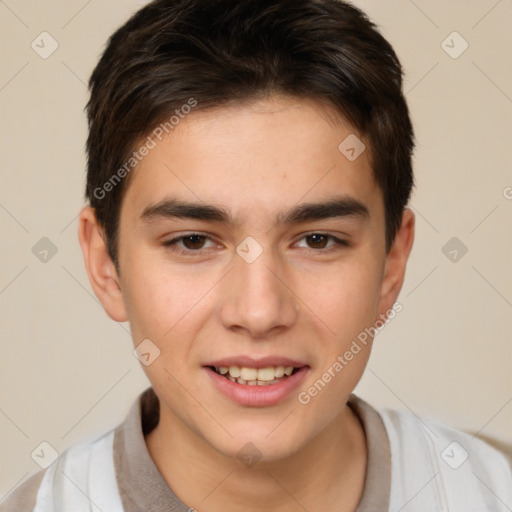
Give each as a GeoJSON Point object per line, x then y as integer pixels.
{"type": "Point", "coordinates": [396, 261]}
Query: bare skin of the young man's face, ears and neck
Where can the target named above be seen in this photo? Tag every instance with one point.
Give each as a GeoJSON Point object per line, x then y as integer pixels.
{"type": "Point", "coordinates": [294, 300]}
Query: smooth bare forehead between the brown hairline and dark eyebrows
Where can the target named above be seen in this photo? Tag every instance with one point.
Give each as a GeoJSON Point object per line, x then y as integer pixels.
{"type": "Point", "coordinates": [256, 158]}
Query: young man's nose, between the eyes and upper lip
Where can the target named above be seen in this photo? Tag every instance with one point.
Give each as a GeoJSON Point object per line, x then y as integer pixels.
{"type": "Point", "coordinates": [258, 300]}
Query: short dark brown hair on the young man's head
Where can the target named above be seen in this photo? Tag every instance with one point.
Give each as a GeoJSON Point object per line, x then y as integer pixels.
{"type": "Point", "coordinates": [219, 51]}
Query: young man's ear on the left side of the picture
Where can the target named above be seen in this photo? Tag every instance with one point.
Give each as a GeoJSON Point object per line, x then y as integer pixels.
{"type": "Point", "coordinates": [100, 268]}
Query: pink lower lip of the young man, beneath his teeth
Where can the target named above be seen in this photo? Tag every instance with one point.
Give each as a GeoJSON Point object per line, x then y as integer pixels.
{"type": "Point", "coordinates": [258, 396]}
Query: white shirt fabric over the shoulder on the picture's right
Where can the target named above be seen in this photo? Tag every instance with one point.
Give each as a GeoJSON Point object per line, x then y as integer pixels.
{"type": "Point", "coordinates": [456, 468]}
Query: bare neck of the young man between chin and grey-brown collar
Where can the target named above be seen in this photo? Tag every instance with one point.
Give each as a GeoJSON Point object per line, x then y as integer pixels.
{"type": "Point", "coordinates": [327, 474]}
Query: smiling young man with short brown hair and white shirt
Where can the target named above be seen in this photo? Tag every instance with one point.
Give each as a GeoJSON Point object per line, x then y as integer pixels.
{"type": "Point", "coordinates": [248, 175]}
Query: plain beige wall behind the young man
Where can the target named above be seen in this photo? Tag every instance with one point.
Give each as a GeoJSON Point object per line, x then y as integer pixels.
{"type": "Point", "coordinates": [68, 372]}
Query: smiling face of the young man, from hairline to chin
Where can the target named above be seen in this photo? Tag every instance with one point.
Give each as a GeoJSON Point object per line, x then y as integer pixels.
{"type": "Point", "coordinates": [249, 241]}
